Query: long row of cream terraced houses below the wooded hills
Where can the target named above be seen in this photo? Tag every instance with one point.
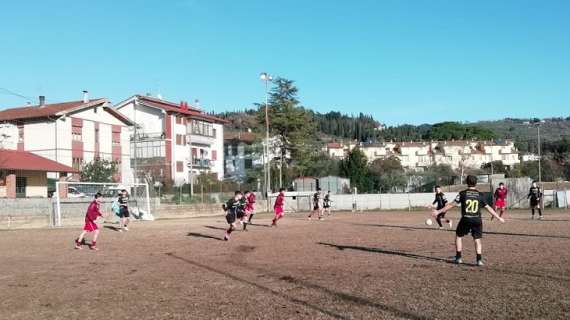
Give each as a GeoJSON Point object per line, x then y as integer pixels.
{"type": "Point", "coordinates": [419, 155]}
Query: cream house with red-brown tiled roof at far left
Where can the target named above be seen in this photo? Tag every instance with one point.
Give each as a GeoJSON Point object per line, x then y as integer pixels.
{"type": "Point", "coordinates": [70, 133]}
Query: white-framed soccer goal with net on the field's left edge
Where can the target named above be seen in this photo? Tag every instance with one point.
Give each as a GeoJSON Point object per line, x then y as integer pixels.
{"type": "Point", "coordinates": [71, 200]}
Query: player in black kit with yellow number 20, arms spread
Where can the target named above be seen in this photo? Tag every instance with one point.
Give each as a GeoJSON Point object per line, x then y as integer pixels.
{"type": "Point", "coordinates": [471, 202]}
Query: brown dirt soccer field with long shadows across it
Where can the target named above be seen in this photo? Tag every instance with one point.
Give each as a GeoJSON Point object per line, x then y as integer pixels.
{"type": "Point", "coordinates": [385, 265]}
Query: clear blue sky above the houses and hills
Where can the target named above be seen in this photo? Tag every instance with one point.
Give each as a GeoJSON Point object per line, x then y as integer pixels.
{"type": "Point", "coordinates": [411, 61]}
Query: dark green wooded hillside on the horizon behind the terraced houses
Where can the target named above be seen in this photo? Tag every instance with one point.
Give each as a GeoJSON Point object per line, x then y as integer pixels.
{"type": "Point", "coordinates": [337, 126]}
